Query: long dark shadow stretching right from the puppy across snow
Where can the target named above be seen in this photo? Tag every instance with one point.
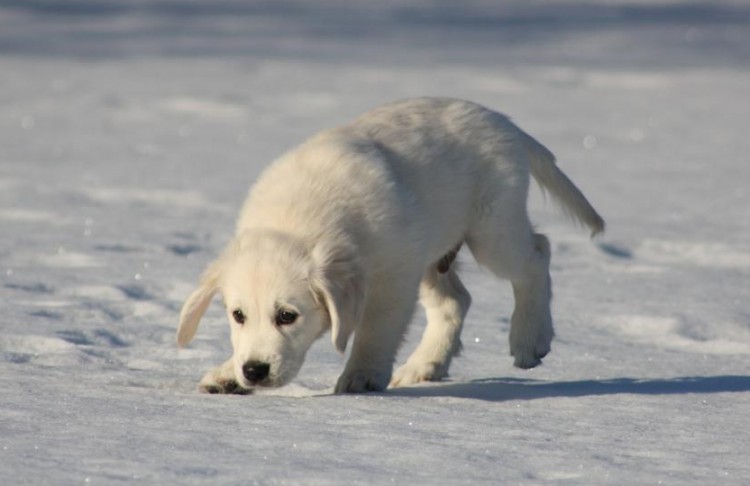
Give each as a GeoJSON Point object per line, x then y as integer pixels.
{"type": "Point", "coordinates": [503, 389]}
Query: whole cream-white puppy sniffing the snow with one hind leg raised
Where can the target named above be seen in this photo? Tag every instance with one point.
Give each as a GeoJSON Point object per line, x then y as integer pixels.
{"type": "Point", "coordinates": [345, 232]}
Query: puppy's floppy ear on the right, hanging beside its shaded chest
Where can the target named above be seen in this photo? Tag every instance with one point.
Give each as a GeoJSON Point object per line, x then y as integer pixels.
{"type": "Point", "coordinates": [338, 280]}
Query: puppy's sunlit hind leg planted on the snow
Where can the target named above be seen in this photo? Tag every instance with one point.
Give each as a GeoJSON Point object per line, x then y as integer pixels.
{"type": "Point", "coordinates": [446, 302]}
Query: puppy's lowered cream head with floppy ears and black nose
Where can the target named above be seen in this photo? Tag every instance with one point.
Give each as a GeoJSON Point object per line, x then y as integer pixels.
{"type": "Point", "coordinates": [280, 296]}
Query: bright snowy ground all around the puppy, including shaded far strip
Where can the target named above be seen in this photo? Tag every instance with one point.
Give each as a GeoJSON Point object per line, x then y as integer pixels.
{"type": "Point", "coordinates": [129, 132]}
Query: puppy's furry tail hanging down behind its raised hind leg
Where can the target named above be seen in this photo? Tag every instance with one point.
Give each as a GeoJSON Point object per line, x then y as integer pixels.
{"type": "Point", "coordinates": [552, 179]}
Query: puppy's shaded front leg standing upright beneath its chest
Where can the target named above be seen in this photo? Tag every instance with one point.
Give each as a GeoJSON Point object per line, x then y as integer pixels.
{"type": "Point", "coordinates": [376, 343]}
